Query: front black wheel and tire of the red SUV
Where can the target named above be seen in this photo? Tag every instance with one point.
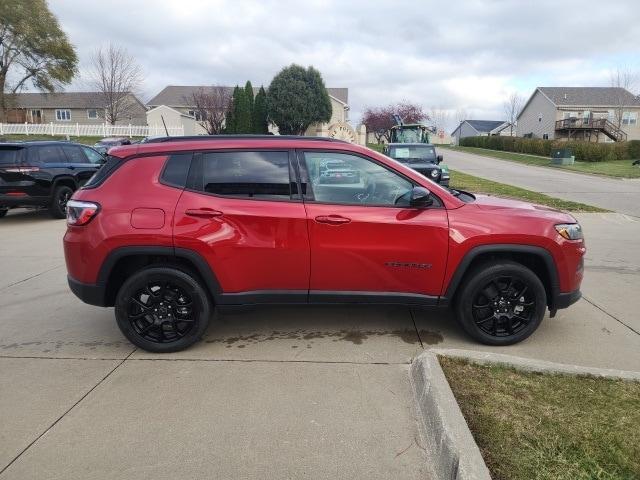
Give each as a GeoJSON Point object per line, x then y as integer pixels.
{"type": "Point", "coordinates": [493, 311]}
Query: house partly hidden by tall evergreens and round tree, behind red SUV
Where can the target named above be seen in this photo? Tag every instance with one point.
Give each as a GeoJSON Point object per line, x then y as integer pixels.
{"type": "Point", "coordinates": [180, 99]}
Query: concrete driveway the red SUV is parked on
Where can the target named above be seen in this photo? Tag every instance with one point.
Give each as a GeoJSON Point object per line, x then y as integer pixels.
{"type": "Point", "coordinates": [277, 392]}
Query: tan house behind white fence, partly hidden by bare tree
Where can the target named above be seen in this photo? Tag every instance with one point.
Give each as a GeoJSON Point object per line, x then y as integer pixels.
{"type": "Point", "coordinates": [84, 108]}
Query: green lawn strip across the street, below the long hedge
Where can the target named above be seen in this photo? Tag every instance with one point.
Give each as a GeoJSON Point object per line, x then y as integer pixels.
{"type": "Point", "coordinates": [614, 168]}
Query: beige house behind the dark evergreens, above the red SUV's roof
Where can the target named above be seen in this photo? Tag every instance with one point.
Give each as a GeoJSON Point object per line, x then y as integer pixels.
{"type": "Point", "coordinates": [179, 99]}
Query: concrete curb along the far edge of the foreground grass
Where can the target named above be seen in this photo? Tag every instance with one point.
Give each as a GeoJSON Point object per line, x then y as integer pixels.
{"type": "Point", "coordinates": [532, 365]}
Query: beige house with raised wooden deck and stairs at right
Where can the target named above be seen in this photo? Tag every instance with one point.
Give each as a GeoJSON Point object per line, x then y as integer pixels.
{"type": "Point", "coordinates": [595, 114]}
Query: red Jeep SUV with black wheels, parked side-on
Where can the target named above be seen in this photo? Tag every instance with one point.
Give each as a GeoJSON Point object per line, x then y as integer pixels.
{"type": "Point", "coordinates": [168, 231]}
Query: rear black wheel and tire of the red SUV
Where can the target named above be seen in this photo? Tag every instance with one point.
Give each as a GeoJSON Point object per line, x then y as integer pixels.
{"type": "Point", "coordinates": [152, 318]}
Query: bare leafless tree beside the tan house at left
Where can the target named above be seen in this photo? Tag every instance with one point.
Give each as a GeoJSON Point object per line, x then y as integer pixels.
{"type": "Point", "coordinates": [115, 75]}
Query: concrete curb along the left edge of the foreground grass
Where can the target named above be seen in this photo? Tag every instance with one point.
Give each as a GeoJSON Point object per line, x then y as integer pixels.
{"type": "Point", "coordinates": [455, 454]}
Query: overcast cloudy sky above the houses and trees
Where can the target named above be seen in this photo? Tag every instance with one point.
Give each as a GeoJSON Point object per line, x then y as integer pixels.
{"type": "Point", "coordinates": [455, 55]}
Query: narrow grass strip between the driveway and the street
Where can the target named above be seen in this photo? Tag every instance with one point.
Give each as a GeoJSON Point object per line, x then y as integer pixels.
{"type": "Point", "coordinates": [470, 183]}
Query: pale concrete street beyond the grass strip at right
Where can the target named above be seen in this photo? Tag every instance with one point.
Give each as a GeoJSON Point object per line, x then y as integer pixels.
{"type": "Point", "coordinates": [619, 195]}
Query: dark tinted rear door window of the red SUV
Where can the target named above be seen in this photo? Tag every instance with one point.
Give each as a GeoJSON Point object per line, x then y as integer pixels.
{"type": "Point", "coordinates": [260, 175]}
